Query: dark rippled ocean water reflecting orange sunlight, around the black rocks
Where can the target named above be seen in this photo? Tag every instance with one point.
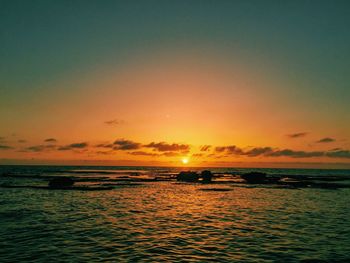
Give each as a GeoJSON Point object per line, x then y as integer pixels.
{"type": "Point", "coordinates": [146, 220]}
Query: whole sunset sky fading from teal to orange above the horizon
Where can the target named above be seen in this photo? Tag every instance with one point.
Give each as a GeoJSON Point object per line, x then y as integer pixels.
{"type": "Point", "coordinates": [192, 83]}
